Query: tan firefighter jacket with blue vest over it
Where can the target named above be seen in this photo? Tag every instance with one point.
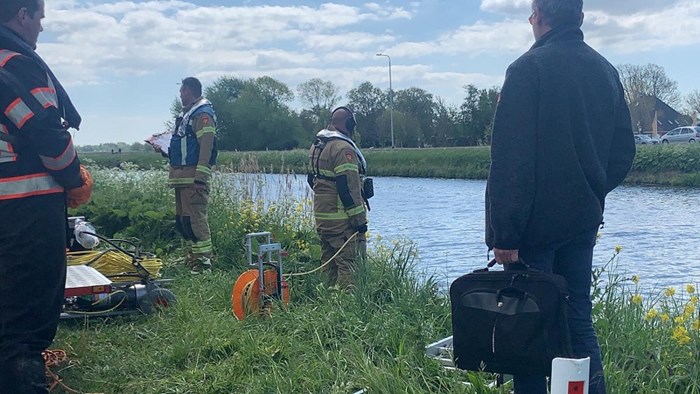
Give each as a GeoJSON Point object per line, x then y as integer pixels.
{"type": "Point", "coordinates": [193, 150]}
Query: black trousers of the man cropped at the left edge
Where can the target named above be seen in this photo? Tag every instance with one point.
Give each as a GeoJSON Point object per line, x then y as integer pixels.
{"type": "Point", "coordinates": [32, 280]}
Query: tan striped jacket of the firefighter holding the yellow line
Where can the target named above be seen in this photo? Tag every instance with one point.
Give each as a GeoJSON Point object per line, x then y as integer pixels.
{"type": "Point", "coordinates": [338, 203]}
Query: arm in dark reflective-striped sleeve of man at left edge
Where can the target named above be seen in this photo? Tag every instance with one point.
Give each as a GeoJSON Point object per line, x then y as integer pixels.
{"type": "Point", "coordinates": [39, 127]}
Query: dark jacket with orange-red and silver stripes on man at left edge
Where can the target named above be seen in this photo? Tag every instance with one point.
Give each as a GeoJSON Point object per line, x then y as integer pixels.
{"type": "Point", "coordinates": [37, 155]}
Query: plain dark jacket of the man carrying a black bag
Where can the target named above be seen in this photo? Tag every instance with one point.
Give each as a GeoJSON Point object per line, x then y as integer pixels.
{"type": "Point", "coordinates": [562, 140]}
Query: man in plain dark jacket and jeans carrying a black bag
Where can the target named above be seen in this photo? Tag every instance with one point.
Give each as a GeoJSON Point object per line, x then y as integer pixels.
{"type": "Point", "coordinates": [562, 140]}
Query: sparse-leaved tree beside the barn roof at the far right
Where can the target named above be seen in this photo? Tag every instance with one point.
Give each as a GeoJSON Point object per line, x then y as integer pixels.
{"type": "Point", "coordinates": [648, 80]}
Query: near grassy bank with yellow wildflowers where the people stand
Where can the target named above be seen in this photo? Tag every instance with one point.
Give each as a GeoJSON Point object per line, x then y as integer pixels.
{"type": "Point", "coordinates": [324, 341]}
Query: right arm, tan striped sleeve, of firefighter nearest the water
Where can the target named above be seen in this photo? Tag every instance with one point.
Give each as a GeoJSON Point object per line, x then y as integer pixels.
{"type": "Point", "coordinates": [347, 180]}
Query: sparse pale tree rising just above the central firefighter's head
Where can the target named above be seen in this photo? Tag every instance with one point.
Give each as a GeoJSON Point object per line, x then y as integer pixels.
{"type": "Point", "coordinates": [319, 97]}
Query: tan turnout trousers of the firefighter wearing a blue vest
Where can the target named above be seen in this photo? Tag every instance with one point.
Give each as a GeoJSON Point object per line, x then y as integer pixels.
{"type": "Point", "coordinates": [191, 207]}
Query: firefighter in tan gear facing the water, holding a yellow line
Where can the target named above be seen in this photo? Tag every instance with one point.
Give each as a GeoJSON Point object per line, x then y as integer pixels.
{"type": "Point", "coordinates": [339, 208]}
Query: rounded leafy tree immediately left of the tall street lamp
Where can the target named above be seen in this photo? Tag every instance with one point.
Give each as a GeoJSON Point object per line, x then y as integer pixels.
{"type": "Point", "coordinates": [368, 103]}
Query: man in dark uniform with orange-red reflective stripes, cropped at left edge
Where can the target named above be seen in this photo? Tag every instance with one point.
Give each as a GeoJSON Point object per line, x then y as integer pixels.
{"type": "Point", "coordinates": [40, 174]}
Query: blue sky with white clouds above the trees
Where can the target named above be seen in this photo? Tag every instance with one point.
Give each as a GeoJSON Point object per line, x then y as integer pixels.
{"type": "Point", "coordinates": [122, 61]}
